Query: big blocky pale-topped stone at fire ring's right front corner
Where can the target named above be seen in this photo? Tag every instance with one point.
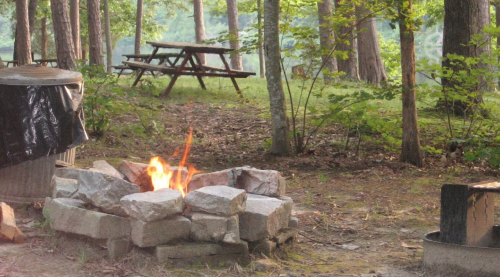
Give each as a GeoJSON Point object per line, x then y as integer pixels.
{"type": "Point", "coordinates": [264, 217]}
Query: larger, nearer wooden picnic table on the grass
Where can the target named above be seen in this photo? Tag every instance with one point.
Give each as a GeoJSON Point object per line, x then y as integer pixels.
{"type": "Point", "coordinates": [188, 53]}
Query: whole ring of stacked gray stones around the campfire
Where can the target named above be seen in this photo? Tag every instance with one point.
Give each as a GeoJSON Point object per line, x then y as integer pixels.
{"type": "Point", "coordinates": [223, 217]}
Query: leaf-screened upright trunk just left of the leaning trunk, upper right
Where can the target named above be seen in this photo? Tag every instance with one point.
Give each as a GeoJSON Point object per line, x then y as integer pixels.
{"type": "Point", "coordinates": [347, 41]}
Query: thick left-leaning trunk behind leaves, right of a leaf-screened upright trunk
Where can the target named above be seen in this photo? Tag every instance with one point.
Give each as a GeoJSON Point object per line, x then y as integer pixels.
{"type": "Point", "coordinates": [371, 68]}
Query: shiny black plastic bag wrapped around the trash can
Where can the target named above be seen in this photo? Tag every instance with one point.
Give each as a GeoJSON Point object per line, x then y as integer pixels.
{"type": "Point", "coordinates": [38, 121]}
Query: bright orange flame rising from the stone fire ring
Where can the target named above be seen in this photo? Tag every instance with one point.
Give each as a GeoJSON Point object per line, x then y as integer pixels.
{"type": "Point", "coordinates": [163, 177]}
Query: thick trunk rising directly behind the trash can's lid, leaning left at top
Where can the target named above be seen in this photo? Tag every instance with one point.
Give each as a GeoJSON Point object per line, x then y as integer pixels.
{"type": "Point", "coordinates": [62, 35]}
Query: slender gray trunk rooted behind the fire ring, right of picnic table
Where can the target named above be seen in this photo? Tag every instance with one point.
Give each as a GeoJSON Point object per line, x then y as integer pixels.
{"type": "Point", "coordinates": [280, 129]}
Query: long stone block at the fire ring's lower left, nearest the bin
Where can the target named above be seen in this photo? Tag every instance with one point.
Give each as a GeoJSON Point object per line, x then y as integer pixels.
{"type": "Point", "coordinates": [70, 216]}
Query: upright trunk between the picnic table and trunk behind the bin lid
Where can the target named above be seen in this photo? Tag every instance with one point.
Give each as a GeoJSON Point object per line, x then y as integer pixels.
{"type": "Point", "coordinates": [95, 39]}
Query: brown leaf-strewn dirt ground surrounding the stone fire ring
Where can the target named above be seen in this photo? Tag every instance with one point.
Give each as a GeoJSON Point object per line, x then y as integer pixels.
{"type": "Point", "coordinates": [359, 215]}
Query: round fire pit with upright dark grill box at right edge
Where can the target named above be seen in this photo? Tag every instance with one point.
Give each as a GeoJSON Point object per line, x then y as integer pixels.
{"type": "Point", "coordinates": [468, 241]}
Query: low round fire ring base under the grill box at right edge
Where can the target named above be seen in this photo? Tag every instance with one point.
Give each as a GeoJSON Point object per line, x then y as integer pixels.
{"type": "Point", "coordinates": [445, 257]}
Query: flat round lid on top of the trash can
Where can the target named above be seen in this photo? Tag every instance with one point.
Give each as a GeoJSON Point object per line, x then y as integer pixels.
{"type": "Point", "coordinates": [38, 75]}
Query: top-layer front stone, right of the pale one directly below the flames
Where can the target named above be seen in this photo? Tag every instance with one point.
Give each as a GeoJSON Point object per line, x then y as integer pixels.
{"type": "Point", "coordinates": [220, 200]}
